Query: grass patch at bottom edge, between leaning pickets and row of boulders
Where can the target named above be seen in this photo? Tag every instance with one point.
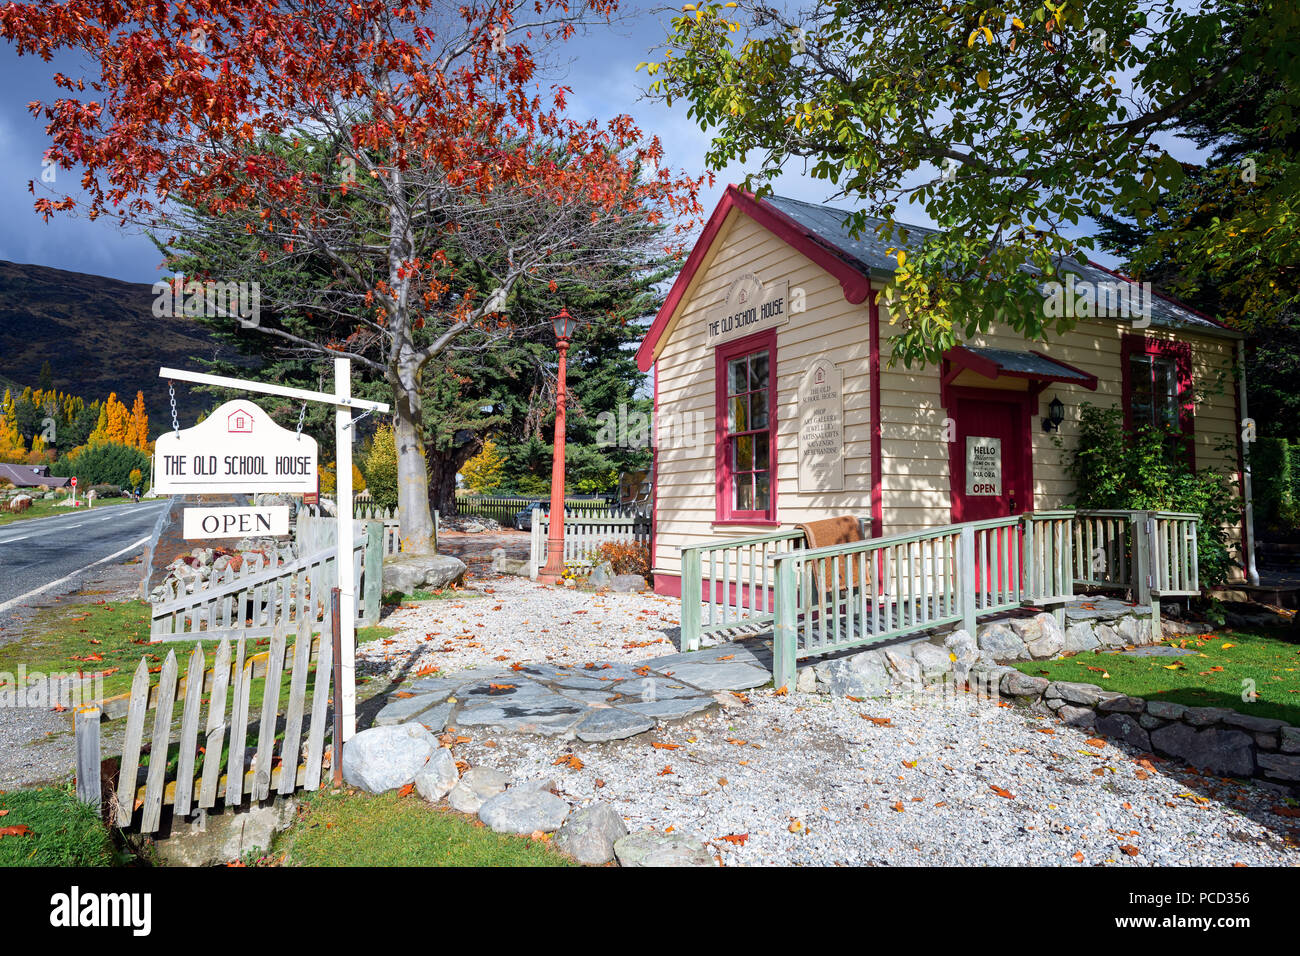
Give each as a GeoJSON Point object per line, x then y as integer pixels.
{"type": "Point", "coordinates": [353, 829]}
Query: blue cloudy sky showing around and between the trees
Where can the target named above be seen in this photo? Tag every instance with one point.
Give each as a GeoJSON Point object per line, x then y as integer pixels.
{"type": "Point", "coordinates": [603, 75]}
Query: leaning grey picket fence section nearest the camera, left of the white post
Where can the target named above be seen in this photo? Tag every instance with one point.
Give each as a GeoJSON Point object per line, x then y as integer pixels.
{"type": "Point", "coordinates": [236, 769]}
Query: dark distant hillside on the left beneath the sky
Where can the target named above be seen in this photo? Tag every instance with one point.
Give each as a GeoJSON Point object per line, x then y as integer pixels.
{"type": "Point", "coordinates": [99, 336]}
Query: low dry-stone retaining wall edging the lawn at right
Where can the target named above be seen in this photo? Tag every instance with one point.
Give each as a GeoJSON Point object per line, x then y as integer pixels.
{"type": "Point", "coordinates": [1216, 739]}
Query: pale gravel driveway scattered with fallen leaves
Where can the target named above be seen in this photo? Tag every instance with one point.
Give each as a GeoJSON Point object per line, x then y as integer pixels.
{"type": "Point", "coordinates": [926, 780]}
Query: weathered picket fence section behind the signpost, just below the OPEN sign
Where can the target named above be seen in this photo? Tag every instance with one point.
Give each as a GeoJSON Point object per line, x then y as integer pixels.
{"type": "Point", "coordinates": [255, 599]}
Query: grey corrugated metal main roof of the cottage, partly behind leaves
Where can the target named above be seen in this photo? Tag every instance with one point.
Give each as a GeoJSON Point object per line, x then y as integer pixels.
{"type": "Point", "coordinates": [825, 224]}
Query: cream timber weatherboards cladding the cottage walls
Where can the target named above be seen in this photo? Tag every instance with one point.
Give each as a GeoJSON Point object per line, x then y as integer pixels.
{"type": "Point", "coordinates": [916, 488]}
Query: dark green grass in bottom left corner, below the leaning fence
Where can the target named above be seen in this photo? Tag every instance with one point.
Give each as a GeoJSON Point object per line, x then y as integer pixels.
{"type": "Point", "coordinates": [54, 829]}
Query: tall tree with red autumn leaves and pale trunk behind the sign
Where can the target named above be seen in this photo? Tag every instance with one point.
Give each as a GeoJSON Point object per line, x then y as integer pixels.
{"type": "Point", "coordinates": [445, 141]}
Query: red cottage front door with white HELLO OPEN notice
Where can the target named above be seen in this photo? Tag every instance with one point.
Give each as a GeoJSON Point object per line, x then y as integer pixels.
{"type": "Point", "coordinates": [990, 458]}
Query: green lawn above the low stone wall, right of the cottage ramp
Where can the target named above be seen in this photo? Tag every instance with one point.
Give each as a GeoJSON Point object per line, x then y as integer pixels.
{"type": "Point", "coordinates": [1227, 665]}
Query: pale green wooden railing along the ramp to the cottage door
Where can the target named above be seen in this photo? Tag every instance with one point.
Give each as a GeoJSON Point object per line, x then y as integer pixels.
{"type": "Point", "coordinates": [829, 599]}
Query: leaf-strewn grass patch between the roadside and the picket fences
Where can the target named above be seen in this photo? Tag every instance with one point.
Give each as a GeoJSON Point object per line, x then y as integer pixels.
{"type": "Point", "coordinates": [111, 638]}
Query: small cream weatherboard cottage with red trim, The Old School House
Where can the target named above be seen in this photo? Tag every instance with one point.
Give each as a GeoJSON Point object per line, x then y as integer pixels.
{"type": "Point", "coordinates": [775, 403]}
